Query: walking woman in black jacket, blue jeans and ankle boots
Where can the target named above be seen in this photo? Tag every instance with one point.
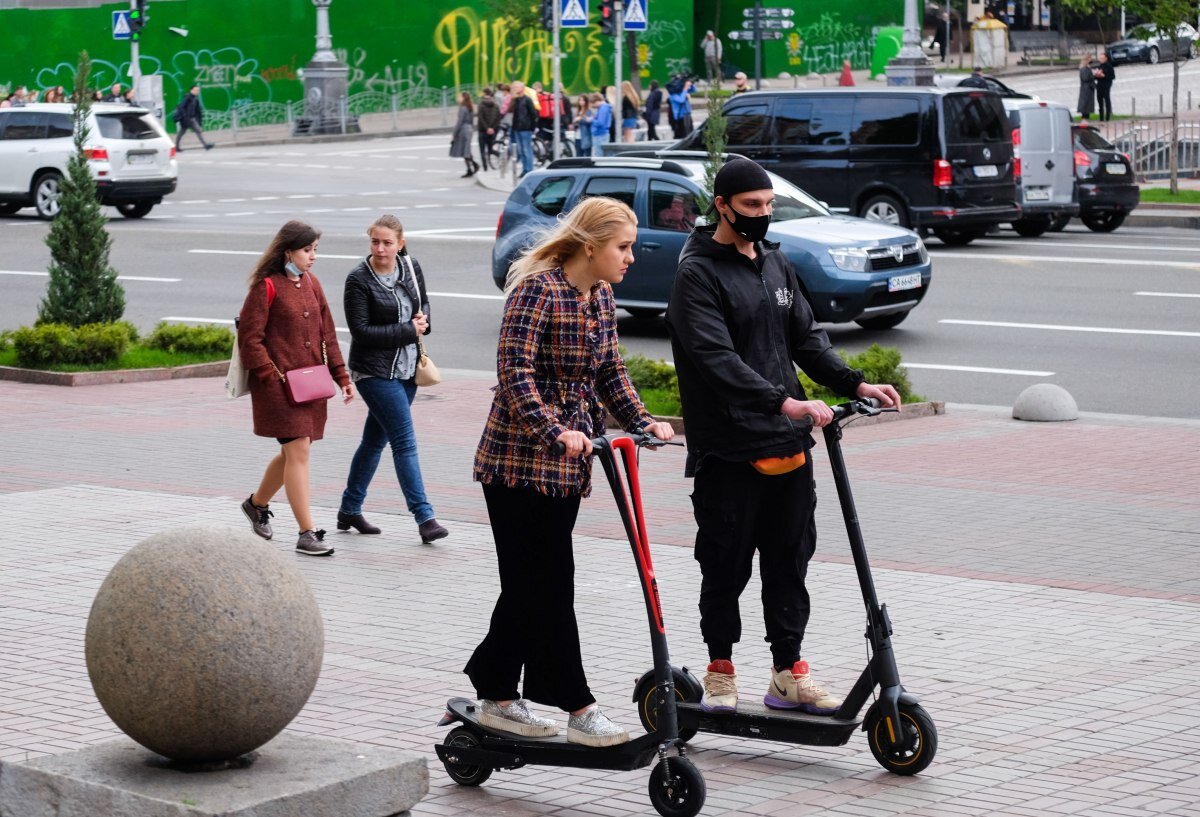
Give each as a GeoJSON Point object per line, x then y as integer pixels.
{"type": "Point", "coordinates": [388, 311]}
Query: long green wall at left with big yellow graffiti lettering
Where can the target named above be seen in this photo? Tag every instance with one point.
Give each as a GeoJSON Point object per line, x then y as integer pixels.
{"type": "Point", "coordinates": [242, 52]}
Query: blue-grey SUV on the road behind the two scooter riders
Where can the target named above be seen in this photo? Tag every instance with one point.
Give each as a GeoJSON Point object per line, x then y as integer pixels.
{"type": "Point", "coordinates": [850, 269]}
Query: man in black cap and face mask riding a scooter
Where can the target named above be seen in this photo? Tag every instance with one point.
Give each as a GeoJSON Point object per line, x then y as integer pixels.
{"type": "Point", "coordinates": [740, 326]}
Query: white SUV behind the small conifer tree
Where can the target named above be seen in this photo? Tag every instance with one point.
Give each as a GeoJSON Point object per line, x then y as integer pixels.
{"type": "Point", "coordinates": [129, 153]}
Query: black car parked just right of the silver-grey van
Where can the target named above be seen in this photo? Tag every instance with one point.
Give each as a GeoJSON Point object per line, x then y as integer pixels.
{"type": "Point", "coordinates": [1108, 191]}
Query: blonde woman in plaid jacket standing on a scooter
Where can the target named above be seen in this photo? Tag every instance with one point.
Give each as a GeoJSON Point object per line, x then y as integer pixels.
{"type": "Point", "coordinates": [560, 370]}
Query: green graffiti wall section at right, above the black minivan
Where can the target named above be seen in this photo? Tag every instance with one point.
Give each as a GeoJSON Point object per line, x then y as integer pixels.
{"type": "Point", "coordinates": [826, 34]}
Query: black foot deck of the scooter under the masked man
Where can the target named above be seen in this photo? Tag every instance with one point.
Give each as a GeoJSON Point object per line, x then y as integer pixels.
{"type": "Point", "coordinates": [754, 720]}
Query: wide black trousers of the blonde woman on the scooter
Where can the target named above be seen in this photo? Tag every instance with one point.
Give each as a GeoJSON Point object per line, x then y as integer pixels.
{"type": "Point", "coordinates": [533, 626]}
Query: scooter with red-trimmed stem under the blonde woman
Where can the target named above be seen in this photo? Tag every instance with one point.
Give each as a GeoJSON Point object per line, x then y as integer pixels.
{"type": "Point", "coordinates": [472, 752]}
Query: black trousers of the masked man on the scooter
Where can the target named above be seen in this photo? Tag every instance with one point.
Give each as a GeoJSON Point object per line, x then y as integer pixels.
{"type": "Point", "coordinates": [739, 513]}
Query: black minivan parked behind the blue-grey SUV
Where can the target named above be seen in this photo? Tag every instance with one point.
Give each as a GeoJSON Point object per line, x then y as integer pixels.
{"type": "Point", "coordinates": [932, 159]}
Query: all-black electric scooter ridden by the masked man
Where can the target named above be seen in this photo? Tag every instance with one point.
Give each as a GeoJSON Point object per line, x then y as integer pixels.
{"type": "Point", "coordinates": [899, 731]}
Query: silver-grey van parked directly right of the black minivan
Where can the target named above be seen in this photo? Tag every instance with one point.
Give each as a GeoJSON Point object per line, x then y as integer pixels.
{"type": "Point", "coordinates": [1043, 158]}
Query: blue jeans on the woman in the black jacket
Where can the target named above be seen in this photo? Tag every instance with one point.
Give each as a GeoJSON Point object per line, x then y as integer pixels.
{"type": "Point", "coordinates": [388, 423]}
